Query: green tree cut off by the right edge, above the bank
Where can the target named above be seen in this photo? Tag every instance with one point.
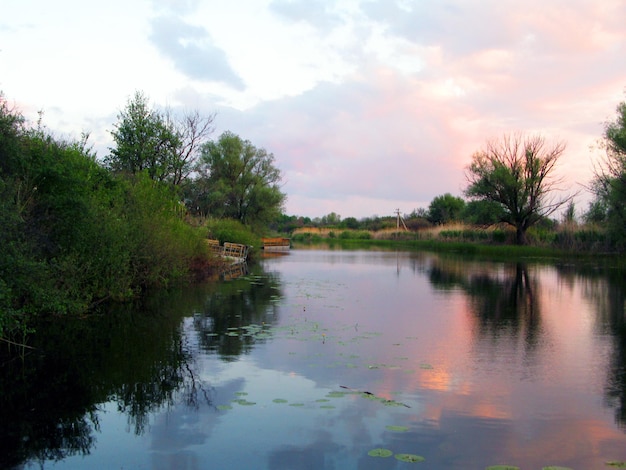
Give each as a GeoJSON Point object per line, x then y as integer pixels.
{"type": "Point", "coordinates": [609, 185]}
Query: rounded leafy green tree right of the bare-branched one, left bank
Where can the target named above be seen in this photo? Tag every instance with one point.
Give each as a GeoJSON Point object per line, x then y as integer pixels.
{"type": "Point", "coordinates": [237, 180]}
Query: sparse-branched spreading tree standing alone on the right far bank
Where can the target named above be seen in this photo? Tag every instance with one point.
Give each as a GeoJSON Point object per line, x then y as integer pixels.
{"type": "Point", "coordinates": [517, 173]}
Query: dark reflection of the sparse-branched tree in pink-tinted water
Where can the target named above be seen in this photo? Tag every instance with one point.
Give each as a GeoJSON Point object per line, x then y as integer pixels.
{"type": "Point", "coordinates": [504, 300]}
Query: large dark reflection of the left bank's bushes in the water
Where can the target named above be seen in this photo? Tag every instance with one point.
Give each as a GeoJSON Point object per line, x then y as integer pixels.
{"type": "Point", "coordinates": [142, 358]}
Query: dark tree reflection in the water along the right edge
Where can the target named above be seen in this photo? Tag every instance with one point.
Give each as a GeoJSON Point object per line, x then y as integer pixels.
{"type": "Point", "coordinates": [607, 290]}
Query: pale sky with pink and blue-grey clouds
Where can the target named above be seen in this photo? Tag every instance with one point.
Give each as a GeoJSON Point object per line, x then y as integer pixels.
{"type": "Point", "coordinates": [368, 106]}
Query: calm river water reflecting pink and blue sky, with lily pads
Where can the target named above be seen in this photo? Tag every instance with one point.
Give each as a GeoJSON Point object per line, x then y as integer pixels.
{"type": "Point", "coordinates": [466, 364]}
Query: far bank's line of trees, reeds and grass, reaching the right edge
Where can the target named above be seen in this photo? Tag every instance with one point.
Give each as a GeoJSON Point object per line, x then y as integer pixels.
{"type": "Point", "coordinates": [511, 186]}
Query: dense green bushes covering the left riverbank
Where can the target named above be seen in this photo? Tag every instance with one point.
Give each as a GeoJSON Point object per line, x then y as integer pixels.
{"type": "Point", "coordinates": [74, 235]}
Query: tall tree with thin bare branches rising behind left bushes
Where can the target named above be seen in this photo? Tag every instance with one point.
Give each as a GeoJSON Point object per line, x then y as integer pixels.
{"type": "Point", "coordinates": [157, 142]}
